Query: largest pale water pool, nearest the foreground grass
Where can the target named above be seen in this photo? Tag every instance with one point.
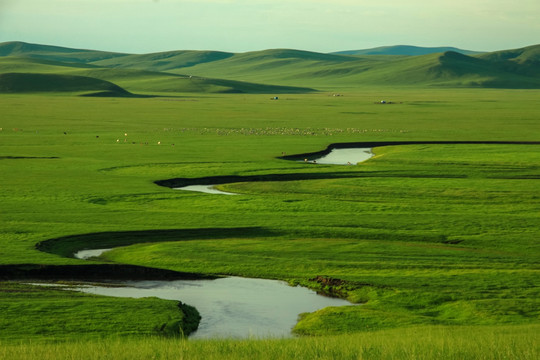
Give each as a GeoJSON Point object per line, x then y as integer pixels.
{"type": "Point", "coordinates": [232, 307]}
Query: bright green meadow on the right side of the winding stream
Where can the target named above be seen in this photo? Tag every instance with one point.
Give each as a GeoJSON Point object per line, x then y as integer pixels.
{"type": "Point", "coordinates": [416, 242]}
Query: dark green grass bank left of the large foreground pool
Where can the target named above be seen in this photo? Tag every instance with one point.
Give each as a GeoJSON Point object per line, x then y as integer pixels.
{"type": "Point", "coordinates": [52, 314]}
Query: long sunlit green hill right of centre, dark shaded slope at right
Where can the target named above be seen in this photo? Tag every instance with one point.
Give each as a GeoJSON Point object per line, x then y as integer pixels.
{"type": "Point", "coordinates": [442, 69]}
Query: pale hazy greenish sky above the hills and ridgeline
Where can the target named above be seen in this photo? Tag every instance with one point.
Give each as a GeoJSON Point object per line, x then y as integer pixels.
{"type": "Point", "coordinates": [141, 26]}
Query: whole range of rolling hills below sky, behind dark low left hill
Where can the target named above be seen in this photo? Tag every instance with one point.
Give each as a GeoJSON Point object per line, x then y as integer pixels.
{"type": "Point", "coordinates": [280, 70]}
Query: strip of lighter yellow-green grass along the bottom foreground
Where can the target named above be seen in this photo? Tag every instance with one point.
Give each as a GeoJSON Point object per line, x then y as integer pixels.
{"type": "Point", "coordinates": [447, 343]}
